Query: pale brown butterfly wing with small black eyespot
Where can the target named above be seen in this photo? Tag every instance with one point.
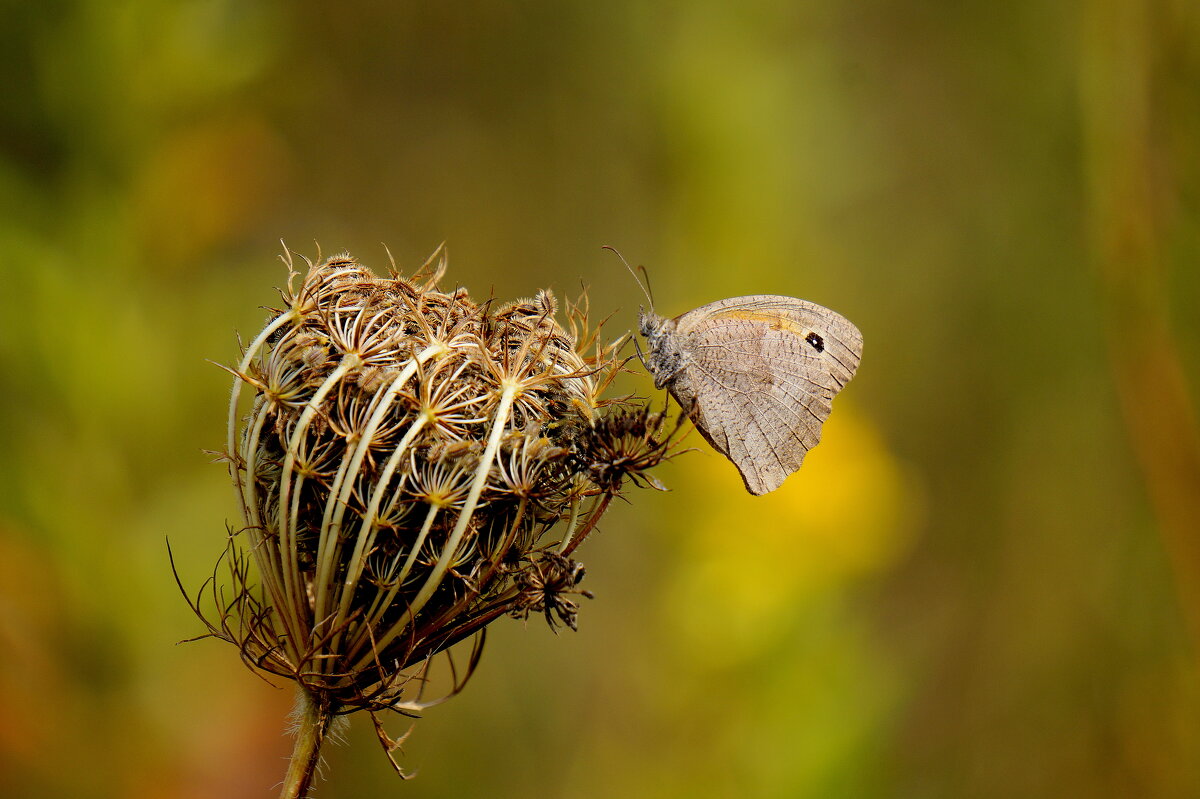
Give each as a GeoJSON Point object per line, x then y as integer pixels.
{"type": "Point", "coordinates": [761, 376]}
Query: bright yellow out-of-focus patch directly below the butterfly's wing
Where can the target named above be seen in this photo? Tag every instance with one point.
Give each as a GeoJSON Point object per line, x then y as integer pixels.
{"type": "Point", "coordinates": [749, 563]}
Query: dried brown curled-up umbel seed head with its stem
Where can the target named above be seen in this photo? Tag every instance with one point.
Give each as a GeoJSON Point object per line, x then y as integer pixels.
{"type": "Point", "coordinates": [412, 466]}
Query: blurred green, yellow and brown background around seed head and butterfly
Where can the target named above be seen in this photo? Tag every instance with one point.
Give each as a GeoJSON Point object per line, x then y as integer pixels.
{"type": "Point", "coordinates": [986, 582]}
